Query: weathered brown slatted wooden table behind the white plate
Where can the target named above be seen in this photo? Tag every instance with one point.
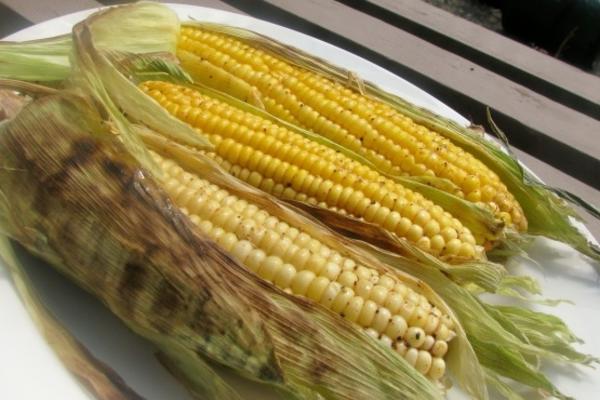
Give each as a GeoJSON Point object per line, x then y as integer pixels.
{"type": "Point", "coordinates": [549, 110]}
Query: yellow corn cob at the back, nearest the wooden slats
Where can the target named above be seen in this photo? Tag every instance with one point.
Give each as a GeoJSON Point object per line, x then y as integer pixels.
{"type": "Point", "coordinates": [394, 142]}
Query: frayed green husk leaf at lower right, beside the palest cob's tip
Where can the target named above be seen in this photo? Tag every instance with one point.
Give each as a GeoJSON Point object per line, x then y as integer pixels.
{"type": "Point", "coordinates": [499, 340]}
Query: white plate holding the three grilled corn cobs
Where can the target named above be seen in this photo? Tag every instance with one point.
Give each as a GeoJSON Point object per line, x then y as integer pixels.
{"type": "Point", "coordinates": [30, 370]}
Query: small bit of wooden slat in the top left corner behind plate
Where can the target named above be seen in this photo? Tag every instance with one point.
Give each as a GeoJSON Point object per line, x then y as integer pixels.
{"type": "Point", "coordinates": [38, 11]}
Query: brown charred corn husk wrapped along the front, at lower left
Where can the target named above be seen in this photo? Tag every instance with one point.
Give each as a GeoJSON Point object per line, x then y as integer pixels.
{"type": "Point", "coordinates": [75, 198]}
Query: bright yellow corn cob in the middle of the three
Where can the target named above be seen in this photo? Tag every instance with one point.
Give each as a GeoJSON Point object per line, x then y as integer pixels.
{"type": "Point", "coordinates": [288, 165]}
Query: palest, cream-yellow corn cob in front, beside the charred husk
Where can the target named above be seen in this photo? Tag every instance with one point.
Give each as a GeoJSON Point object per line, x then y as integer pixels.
{"type": "Point", "coordinates": [290, 258]}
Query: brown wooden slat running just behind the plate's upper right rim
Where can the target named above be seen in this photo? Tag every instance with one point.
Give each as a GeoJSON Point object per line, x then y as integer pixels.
{"type": "Point", "coordinates": [545, 129]}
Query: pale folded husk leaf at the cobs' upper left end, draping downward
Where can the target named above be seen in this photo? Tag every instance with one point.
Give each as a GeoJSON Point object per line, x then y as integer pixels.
{"type": "Point", "coordinates": [99, 65]}
